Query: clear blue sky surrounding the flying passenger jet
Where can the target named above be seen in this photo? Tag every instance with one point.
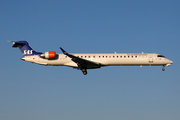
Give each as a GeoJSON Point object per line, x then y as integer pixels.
{"type": "Point", "coordinates": [30, 91]}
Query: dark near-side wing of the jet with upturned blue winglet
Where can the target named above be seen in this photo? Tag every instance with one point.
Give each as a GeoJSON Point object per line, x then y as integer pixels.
{"type": "Point", "coordinates": [82, 63]}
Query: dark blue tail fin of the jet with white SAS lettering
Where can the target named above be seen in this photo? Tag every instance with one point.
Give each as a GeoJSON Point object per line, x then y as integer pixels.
{"type": "Point", "coordinates": [25, 48]}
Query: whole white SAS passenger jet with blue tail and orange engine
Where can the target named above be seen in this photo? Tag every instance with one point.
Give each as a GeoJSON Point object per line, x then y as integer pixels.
{"type": "Point", "coordinates": [86, 61]}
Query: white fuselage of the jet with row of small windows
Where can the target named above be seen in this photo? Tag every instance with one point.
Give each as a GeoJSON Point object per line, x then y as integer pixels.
{"type": "Point", "coordinates": [116, 59]}
